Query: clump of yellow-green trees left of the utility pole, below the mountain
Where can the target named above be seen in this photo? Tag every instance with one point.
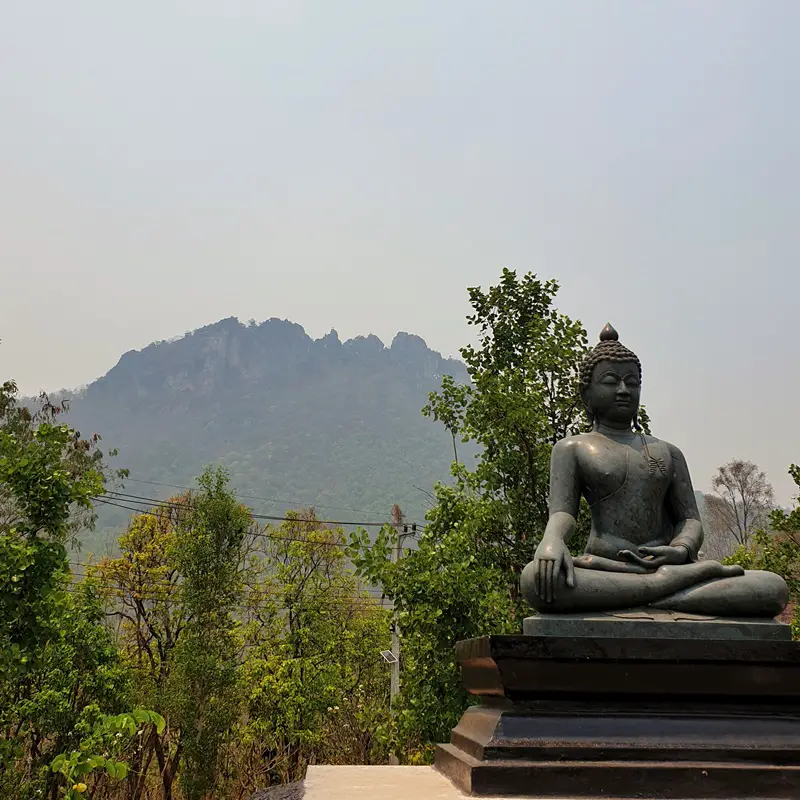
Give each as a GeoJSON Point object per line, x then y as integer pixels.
{"type": "Point", "coordinates": [256, 645]}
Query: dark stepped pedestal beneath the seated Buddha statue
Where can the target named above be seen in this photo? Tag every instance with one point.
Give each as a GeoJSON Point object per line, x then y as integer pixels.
{"type": "Point", "coordinates": [623, 717]}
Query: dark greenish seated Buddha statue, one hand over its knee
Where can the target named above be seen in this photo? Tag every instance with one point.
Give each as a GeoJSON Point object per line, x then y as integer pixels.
{"type": "Point", "coordinates": [646, 532]}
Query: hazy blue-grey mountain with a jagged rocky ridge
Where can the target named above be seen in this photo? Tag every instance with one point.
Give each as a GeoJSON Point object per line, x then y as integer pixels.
{"type": "Point", "coordinates": [296, 421]}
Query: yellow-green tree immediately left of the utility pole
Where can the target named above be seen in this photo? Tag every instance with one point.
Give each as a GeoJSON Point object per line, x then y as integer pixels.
{"type": "Point", "coordinates": [317, 688]}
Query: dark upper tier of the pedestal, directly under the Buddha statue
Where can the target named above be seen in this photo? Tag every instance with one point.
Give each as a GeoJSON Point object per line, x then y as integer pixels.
{"type": "Point", "coordinates": [534, 668]}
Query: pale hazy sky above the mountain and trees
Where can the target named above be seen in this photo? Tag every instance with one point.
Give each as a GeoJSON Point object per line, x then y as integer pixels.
{"type": "Point", "coordinates": [358, 164]}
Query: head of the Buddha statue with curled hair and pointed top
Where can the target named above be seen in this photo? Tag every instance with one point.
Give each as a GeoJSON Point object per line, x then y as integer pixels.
{"type": "Point", "coordinates": [610, 382]}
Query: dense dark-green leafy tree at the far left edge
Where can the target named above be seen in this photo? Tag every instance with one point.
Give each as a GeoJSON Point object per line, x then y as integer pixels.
{"type": "Point", "coordinates": [58, 660]}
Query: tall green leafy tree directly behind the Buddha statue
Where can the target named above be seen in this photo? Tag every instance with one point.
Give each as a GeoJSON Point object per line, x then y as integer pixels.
{"type": "Point", "coordinates": [462, 580]}
